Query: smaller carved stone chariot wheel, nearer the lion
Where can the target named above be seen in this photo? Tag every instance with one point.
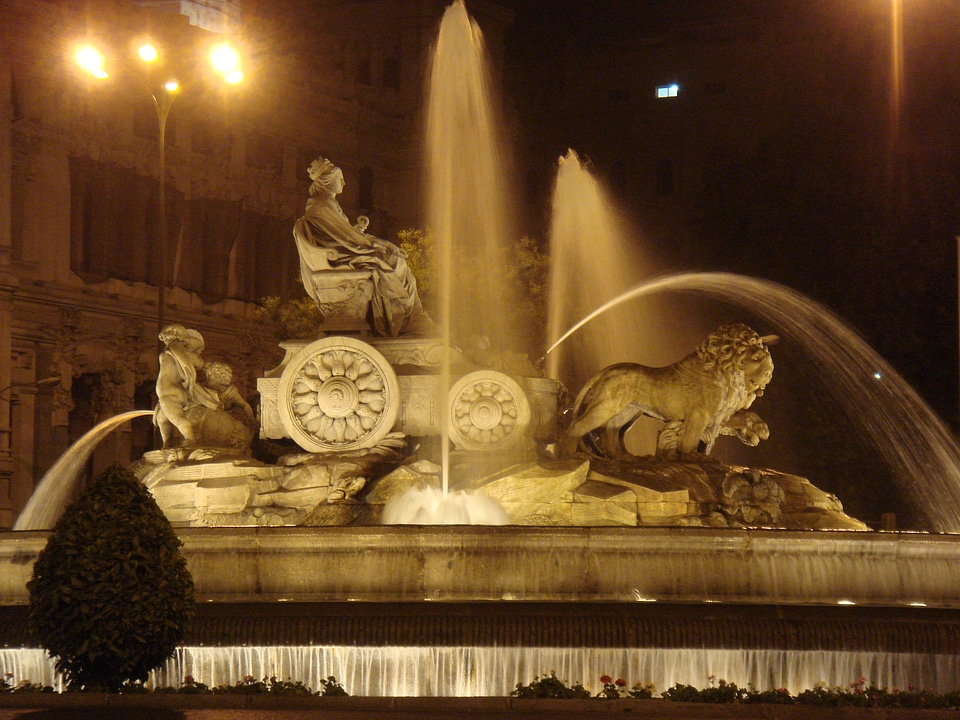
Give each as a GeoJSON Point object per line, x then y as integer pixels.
{"type": "Point", "coordinates": [488, 411]}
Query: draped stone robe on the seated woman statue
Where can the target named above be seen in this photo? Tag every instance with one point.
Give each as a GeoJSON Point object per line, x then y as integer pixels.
{"type": "Point", "coordinates": [325, 238]}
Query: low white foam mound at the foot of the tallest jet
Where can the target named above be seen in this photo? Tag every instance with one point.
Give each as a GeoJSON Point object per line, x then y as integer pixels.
{"type": "Point", "coordinates": [430, 506]}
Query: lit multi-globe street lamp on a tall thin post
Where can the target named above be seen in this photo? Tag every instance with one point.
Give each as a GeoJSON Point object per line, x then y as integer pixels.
{"type": "Point", "coordinates": [224, 60]}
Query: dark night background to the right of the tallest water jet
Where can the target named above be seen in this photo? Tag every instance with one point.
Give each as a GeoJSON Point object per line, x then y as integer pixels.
{"type": "Point", "coordinates": [811, 143]}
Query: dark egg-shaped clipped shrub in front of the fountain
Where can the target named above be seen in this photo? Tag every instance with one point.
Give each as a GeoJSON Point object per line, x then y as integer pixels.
{"type": "Point", "coordinates": [111, 596]}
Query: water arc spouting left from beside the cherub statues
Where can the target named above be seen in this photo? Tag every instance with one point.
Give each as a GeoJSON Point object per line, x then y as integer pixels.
{"type": "Point", "coordinates": [55, 490]}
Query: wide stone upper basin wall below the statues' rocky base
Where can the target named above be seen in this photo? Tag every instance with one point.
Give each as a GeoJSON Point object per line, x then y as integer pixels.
{"type": "Point", "coordinates": [475, 564]}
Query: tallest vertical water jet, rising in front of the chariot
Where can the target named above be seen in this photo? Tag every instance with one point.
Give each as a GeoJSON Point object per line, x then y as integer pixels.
{"type": "Point", "coordinates": [467, 211]}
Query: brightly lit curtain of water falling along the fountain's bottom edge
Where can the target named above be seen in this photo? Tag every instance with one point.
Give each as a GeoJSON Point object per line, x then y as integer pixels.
{"type": "Point", "coordinates": [399, 671]}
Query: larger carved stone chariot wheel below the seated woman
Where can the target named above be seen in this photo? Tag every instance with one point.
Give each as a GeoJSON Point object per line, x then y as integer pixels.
{"type": "Point", "coordinates": [338, 393]}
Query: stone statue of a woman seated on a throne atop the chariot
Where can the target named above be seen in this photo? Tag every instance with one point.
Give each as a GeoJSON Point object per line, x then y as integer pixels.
{"type": "Point", "coordinates": [328, 243]}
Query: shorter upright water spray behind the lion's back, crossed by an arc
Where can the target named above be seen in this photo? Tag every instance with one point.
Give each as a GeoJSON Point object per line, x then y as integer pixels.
{"type": "Point", "coordinates": [595, 256]}
